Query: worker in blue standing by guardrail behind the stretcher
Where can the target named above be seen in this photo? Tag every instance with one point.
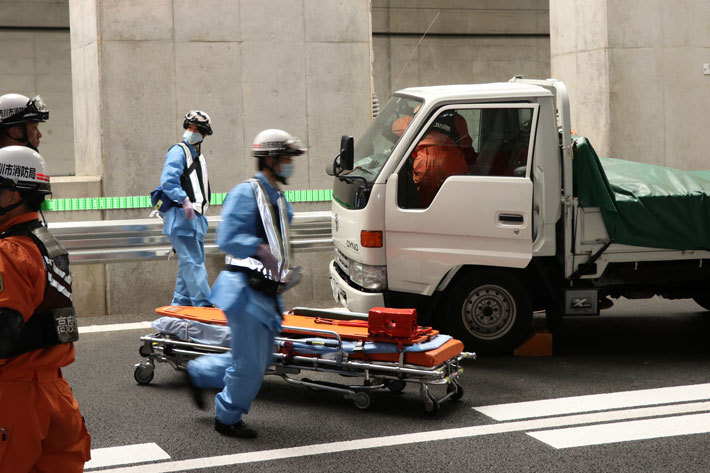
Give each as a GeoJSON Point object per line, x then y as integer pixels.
{"type": "Point", "coordinates": [185, 182]}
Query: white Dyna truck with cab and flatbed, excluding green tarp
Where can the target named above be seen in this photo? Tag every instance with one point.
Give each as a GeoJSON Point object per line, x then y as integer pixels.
{"type": "Point", "coordinates": [504, 238]}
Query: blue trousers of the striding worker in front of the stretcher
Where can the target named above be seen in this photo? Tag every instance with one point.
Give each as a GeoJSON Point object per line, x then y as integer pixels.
{"type": "Point", "coordinates": [239, 373]}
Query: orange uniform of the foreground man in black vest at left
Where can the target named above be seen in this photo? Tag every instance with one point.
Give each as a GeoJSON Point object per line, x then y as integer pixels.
{"type": "Point", "coordinates": [42, 428]}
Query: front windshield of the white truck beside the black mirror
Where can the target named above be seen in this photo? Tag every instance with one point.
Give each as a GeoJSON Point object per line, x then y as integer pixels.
{"type": "Point", "coordinates": [373, 149]}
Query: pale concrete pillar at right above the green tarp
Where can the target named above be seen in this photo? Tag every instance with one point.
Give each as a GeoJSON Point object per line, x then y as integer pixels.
{"type": "Point", "coordinates": [635, 73]}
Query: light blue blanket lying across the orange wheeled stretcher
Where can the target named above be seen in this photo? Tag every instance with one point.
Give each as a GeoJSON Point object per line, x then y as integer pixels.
{"type": "Point", "coordinates": [220, 335]}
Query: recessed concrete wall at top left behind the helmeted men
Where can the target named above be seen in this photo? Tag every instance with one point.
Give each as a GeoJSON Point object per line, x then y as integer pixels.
{"type": "Point", "coordinates": [35, 59]}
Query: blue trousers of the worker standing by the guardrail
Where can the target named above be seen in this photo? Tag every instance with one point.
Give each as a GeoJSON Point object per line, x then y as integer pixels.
{"type": "Point", "coordinates": [191, 286]}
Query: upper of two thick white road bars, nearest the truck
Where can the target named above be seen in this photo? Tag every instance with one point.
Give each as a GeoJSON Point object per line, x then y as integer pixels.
{"type": "Point", "coordinates": [595, 402]}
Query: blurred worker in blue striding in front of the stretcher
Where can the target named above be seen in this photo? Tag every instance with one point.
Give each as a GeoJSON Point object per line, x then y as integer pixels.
{"type": "Point", "coordinates": [254, 235]}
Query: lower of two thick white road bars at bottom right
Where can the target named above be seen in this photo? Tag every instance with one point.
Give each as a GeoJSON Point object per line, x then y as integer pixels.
{"type": "Point", "coordinates": [625, 431]}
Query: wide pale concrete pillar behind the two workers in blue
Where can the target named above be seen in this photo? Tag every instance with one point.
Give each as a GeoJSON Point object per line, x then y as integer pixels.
{"type": "Point", "coordinates": [137, 67]}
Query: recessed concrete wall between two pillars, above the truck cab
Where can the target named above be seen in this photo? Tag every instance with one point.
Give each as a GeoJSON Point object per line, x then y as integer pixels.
{"type": "Point", "coordinates": [469, 41]}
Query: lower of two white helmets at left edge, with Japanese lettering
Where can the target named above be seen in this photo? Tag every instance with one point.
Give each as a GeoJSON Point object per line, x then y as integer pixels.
{"type": "Point", "coordinates": [23, 169]}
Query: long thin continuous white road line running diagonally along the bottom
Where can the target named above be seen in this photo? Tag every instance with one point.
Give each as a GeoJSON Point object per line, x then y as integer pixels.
{"type": "Point", "coordinates": [405, 439]}
